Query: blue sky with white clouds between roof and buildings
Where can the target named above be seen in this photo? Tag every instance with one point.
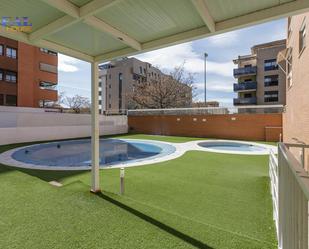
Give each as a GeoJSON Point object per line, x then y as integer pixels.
{"type": "Point", "coordinates": [74, 75]}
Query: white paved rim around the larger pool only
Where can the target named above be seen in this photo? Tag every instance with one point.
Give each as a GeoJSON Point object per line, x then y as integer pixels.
{"type": "Point", "coordinates": [7, 158]}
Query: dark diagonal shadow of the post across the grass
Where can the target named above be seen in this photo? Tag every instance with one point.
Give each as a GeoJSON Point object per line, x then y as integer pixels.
{"type": "Point", "coordinates": [186, 238]}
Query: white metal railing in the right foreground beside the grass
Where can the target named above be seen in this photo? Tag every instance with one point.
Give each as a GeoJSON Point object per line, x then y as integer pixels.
{"type": "Point", "coordinates": [290, 200]}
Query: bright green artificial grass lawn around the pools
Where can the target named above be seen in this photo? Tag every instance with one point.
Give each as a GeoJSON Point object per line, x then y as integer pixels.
{"type": "Point", "coordinates": [200, 200]}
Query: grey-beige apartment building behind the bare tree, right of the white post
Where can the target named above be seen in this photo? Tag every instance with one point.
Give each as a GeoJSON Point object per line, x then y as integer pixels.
{"type": "Point", "coordinates": [117, 80]}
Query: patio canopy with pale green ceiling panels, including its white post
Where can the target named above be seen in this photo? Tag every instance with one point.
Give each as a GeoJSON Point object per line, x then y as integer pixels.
{"type": "Point", "coordinates": [97, 31]}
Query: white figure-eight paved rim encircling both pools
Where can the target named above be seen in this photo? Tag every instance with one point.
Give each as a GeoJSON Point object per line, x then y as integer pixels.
{"type": "Point", "coordinates": [180, 149]}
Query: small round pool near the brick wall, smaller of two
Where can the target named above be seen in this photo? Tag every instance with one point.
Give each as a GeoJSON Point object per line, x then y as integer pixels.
{"type": "Point", "coordinates": [235, 147]}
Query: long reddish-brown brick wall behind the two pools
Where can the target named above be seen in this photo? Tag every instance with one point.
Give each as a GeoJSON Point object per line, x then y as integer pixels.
{"type": "Point", "coordinates": [255, 127]}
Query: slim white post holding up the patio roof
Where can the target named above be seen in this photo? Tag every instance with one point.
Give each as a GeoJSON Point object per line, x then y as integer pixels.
{"type": "Point", "coordinates": [95, 134]}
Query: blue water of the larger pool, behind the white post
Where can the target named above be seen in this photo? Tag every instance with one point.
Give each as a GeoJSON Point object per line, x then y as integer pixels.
{"type": "Point", "coordinates": [78, 152]}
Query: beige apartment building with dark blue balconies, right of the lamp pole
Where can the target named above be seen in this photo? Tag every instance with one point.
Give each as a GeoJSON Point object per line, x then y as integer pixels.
{"type": "Point", "coordinates": [259, 79]}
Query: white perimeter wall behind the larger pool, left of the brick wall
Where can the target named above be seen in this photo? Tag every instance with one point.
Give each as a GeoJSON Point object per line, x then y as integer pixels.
{"type": "Point", "coordinates": [18, 125]}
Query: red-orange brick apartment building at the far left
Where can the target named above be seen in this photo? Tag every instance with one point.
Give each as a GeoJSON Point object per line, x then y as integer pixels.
{"type": "Point", "coordinates": [28, 75]}
